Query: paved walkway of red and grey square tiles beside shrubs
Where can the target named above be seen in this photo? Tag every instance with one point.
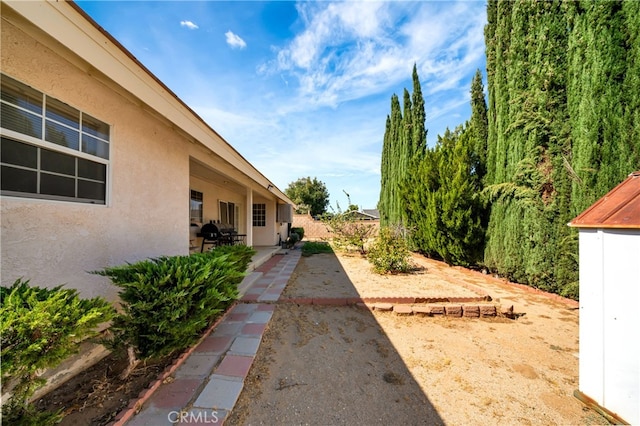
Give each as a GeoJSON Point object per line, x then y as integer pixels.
{"type": "Point", "coordinates": [205, 386]}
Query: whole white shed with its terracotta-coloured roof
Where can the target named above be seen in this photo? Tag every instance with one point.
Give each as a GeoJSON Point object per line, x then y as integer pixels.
{"type": "Point", "coordinates": [609, 238]}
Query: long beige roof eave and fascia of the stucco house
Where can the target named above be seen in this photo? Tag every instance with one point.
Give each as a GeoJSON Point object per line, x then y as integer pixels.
{"type": "Point", "coordinates": [67, 23]}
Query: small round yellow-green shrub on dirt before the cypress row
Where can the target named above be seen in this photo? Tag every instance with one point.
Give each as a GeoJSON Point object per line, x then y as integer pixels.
{"type": "Point", "coordinates": [389, 252]}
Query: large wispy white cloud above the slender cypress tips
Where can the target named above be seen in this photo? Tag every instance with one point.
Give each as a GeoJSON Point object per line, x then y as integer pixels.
{"type": "Point", "coordinates": [350, 50]}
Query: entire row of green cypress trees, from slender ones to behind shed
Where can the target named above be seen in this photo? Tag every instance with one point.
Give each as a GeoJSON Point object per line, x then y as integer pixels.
{"type": "Point", "coordinates": [562, 127]}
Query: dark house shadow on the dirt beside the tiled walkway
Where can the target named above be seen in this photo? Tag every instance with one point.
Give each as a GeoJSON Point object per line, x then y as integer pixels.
{"type": "Point", "coordinates": [329, 365]}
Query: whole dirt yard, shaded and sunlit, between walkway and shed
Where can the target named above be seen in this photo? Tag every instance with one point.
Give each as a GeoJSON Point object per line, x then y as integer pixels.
{"type": "Point", "coordinates": [348, 365]}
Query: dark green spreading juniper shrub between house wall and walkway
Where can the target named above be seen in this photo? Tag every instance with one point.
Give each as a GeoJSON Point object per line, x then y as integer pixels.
{"type": "Point", "coordinates": [168, 301]}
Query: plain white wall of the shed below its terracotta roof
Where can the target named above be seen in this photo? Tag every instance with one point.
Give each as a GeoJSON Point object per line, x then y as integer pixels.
{"type": "Point", "coordinates": [609, 318]}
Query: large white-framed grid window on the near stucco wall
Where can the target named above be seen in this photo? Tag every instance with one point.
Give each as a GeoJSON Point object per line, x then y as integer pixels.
{"type": "Point", "coordinates": [49, 149]}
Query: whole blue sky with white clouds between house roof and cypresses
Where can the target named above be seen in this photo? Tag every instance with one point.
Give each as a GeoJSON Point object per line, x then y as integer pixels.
{"type": "Point", "coordinates": [304, 88]}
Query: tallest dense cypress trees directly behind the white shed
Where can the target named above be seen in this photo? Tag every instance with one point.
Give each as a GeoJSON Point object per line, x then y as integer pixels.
{"type": "Point", "coordinates": [563, 128]}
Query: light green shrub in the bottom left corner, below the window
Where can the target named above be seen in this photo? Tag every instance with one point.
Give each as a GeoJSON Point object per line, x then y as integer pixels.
{"type": "Point", "coordinates": [40, 328]}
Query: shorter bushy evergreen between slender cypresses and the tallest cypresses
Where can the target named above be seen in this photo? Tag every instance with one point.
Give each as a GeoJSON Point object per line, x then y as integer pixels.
{"type": "Point", "coordinates": [446, 210]}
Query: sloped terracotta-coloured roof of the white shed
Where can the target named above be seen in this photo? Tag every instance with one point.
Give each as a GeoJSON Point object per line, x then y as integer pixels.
{"type": "Point", "coordinates": [620, 208]}
